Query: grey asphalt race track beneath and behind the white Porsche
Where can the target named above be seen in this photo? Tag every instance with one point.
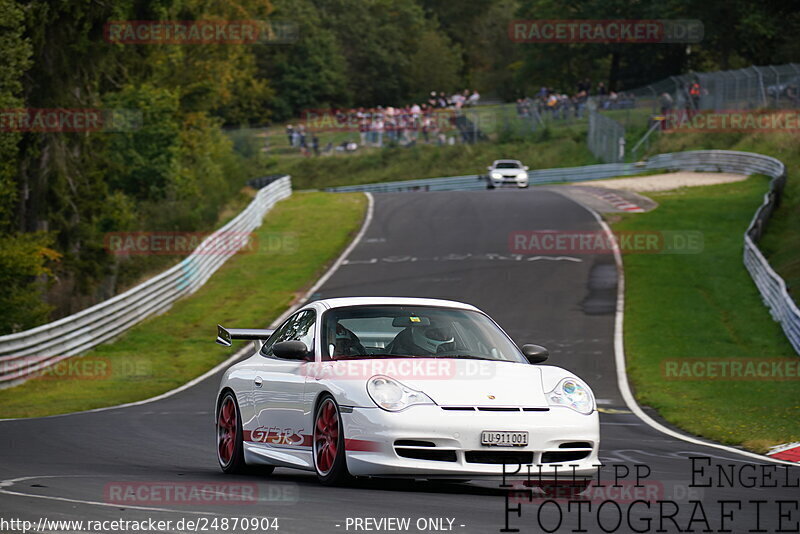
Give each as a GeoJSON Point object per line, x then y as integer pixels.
{"type": "Point", "coordinates": [451, 245]}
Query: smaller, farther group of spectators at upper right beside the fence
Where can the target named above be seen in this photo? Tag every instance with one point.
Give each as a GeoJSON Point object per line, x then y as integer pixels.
{"type": "Point", "coordinates": [560, 105]}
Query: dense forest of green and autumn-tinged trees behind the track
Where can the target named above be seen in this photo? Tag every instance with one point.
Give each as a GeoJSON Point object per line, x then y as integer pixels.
{"type": "Point", "coordinates": [174, 166]}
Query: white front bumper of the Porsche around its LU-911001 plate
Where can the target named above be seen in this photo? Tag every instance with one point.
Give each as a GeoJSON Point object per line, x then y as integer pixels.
{"type": "Point", "coordinates": [372, 447]}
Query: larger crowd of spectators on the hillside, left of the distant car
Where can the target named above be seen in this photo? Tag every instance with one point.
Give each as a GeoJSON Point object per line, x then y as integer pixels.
{"type": "Point", "coordinates": [428, 122]}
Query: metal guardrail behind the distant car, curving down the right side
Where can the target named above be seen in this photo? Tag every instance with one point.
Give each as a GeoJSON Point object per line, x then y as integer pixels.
{"type": "Point", "coordinates": [770, 285]}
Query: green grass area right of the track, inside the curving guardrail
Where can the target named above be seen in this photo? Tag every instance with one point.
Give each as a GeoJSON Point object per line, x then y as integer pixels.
{"type": "Point", "coordinates": [706, 306]}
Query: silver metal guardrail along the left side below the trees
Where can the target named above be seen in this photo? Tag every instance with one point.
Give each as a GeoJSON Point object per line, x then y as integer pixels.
{"type": "Point", "coordinates": [24, 353]}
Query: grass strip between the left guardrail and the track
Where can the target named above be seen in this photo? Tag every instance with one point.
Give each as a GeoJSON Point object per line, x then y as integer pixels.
{"type": "Point", "coordinates": [295, 243]}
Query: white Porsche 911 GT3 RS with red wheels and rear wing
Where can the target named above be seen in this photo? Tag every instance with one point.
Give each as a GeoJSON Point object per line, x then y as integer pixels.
{"type": "Point", "coordinates": [410, 387]}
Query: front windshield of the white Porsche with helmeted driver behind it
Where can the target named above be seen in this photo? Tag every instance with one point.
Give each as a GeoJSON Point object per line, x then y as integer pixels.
{"type": "Point", "coordinates": [413, 332]}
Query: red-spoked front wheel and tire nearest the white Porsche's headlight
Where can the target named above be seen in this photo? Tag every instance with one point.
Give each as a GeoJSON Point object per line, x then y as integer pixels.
{"type": "Point", "coordinates": [328, 444]}
